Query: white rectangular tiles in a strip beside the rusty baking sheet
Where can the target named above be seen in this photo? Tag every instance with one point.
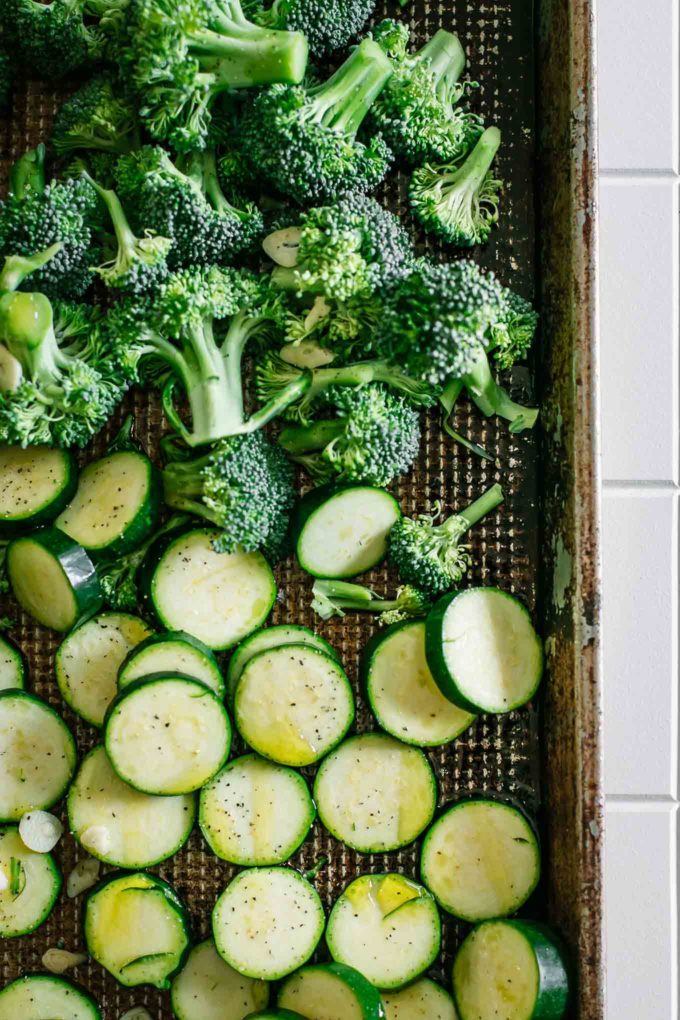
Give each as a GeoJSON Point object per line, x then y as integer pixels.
{"type": "Point", "coordinates": [639, 72]}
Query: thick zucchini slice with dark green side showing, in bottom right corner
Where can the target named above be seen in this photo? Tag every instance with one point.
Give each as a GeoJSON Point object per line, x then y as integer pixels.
{"type": "Point", "coordinates": [511, 970]}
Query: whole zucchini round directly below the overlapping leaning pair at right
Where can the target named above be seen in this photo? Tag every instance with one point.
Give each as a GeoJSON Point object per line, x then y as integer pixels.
{"type": "Point", "coordinates": [376, 794]}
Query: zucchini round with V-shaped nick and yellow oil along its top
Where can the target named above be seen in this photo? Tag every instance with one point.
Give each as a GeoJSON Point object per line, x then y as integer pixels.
{"type": "Point", "coordinates": [387, 928]}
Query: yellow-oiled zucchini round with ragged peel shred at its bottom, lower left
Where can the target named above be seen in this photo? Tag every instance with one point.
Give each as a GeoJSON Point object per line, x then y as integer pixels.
{"type": "Point", "coordinates": [137, 928]}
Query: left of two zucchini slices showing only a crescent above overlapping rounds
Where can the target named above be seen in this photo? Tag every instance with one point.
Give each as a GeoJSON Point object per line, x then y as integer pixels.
{"type": "Point", "coordinates": [177, 652]}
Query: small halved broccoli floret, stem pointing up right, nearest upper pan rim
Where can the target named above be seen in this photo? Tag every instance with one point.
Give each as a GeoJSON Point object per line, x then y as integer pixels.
{"type": "Point", "coordinates": [460, 205]}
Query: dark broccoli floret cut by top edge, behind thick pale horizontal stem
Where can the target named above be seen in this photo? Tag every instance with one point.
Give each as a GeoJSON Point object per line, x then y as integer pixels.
{"type": "Point", "coordinates": [329, 25]}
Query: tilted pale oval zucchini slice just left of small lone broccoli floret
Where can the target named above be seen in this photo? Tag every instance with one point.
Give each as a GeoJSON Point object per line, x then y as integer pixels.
{"type": "Point", "coordinates": [342, 533]}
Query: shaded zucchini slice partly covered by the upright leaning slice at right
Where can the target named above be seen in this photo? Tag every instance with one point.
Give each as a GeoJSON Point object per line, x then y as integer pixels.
{"type": "Point", "coordinates": [402, 692]}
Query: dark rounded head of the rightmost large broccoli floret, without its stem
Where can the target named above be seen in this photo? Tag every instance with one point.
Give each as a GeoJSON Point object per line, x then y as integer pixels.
{"type": "Point", "coordinates": [436, 320]}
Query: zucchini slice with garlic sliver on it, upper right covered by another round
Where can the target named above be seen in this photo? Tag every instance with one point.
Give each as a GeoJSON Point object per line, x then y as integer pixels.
{"type": "Point", "coordinates": [122, 827]}
